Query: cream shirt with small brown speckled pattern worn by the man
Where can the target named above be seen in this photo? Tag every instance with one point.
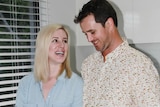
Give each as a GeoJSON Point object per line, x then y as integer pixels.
{"type": "Point", "coordinates": [127, 78]}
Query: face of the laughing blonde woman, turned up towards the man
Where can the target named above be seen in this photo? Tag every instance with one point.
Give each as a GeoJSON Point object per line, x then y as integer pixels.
{"type": "Point", "coordinates": [58, 48]}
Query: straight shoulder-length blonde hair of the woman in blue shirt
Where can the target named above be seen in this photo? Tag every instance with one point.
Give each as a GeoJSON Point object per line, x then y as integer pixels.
{"type": "Point", "coordinates": [41, 65]}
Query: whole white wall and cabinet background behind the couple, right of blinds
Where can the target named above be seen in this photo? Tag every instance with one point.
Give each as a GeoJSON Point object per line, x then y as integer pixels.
{"type": "Point", "coordinates": [138, 21]}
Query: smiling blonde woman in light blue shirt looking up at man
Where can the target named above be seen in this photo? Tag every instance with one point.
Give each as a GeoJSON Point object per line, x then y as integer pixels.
{"type": "Point", "coordinates": [52, 84]}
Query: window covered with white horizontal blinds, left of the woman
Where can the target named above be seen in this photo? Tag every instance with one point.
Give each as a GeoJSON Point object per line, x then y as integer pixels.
{"type": "Point", "coordinates": [20, 21]}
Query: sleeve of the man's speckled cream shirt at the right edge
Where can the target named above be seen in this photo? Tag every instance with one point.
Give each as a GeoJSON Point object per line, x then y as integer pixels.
{"type": "Point", "coordinates": [146, 86]}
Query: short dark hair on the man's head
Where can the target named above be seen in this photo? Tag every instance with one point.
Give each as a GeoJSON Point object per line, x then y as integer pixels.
{"type": "Point", "coordinates": [101, 9]}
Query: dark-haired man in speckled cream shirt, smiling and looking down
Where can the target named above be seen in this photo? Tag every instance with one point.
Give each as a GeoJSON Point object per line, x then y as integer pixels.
{"type": "Point", "coordinates": [117, 75]}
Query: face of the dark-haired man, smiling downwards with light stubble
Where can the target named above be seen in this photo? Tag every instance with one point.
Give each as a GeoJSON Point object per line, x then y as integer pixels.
{"type": "Point", "coordinates": [95, 33]}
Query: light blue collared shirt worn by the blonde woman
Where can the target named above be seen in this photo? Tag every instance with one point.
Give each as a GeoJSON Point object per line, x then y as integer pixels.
{"type": "Point", "coordinates": [65, 93]}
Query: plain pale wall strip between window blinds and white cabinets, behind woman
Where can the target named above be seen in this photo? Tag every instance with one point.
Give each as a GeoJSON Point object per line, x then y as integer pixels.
{"type": "Point", "coordinates": [63, 11]}
